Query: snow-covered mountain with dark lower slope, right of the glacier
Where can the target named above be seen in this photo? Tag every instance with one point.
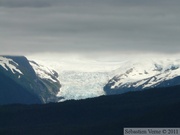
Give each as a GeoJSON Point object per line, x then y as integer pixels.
{"type": "Point", "coordinates": [142, 74]}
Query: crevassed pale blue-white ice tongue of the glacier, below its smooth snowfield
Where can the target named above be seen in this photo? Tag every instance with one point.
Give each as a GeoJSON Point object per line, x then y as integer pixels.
{"type": "Point", "coordinates": [80, 85]}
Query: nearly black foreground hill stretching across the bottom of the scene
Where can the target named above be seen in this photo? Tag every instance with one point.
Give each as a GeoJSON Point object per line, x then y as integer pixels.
{"type": "Point", "coordinates": [106, 115]}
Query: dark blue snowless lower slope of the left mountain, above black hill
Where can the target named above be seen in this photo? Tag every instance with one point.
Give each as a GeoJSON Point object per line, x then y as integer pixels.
{"type": "Point", "coordinates": [11, 92]}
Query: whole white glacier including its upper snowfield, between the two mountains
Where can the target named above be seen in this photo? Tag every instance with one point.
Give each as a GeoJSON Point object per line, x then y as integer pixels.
{"type": "Point", "coordinates": [79, 78]}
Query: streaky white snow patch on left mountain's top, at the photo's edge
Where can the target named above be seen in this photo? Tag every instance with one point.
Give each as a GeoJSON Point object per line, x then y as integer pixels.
{"type": "Point", "coordinates": [6, 62]}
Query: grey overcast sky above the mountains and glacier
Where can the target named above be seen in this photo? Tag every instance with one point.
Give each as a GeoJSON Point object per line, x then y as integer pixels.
{"type": "Point", "coordinates": [87, 26]}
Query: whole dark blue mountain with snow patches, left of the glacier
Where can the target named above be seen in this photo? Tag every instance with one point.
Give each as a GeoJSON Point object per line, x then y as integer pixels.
{"type": "Point", "coordinates": [21, 83]}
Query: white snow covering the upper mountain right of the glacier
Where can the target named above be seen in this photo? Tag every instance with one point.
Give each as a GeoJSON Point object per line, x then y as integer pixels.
{"type": "Point", "coordinates": [140, 71]}
